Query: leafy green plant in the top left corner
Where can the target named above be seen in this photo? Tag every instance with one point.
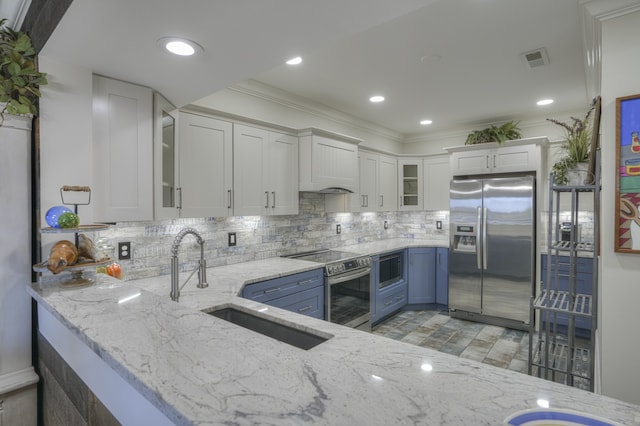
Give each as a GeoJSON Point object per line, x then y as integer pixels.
{"type": "Point", "coordinates": [19, 76]}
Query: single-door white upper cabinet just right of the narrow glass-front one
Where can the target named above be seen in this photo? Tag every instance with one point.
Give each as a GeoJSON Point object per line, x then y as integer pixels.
{"type": "Point", "coordinates": [205, 153]}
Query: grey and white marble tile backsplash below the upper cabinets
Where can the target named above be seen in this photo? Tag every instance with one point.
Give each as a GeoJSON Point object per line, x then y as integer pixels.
{"type": "Point", "coordinates": [262, 237]}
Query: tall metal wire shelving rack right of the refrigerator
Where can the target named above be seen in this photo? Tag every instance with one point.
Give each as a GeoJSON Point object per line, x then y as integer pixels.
{"type": "Point", "coordinates": [556, 352]}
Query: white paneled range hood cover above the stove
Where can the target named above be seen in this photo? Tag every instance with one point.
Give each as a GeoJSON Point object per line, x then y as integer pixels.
{"type": "Point", "coordinates": [328, 160]}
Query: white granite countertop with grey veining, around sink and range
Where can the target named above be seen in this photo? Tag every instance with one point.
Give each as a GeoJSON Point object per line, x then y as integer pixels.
{"type": "Point", "coordinates": [198, 369]}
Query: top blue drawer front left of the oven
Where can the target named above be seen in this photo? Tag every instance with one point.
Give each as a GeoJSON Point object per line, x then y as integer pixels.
{"type": "Point", "coordinates": [279, 287]}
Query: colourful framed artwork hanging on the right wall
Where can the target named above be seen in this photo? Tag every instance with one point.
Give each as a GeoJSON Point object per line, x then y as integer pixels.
{"type": "Point", "coordinates": [627, 236]}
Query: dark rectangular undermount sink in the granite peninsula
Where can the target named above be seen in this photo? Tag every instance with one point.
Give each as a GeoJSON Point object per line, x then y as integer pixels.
{"type": "Point", "coordinates": [283, 333]}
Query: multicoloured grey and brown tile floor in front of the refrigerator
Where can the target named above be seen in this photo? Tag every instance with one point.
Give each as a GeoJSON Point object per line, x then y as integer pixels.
{"type": "Point", "coordinates": [490, 344]}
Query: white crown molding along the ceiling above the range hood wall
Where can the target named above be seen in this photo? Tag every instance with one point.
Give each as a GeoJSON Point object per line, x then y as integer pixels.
{"type": "Point", "coordinates": [281, 97]}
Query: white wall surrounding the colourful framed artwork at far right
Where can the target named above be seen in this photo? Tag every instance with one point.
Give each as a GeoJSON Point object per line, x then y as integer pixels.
{"type": "Point", "coordinates": [620, 284]}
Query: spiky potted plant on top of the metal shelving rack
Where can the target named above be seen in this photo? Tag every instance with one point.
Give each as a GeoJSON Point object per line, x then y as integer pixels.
{"type": "Point", "coordinates": [571, 168]}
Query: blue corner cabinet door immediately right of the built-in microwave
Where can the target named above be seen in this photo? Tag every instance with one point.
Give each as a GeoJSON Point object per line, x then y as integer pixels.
{"type": "Point", "coordinates": [421, 275]}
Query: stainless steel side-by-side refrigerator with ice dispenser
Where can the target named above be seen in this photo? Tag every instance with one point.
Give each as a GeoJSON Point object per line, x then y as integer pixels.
{"type": "Point", "coordinates": [492, 249]}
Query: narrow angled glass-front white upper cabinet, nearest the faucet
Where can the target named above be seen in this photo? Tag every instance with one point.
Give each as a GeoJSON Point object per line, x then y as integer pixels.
{"type": "Point", "coordinates": [165, 160]}
